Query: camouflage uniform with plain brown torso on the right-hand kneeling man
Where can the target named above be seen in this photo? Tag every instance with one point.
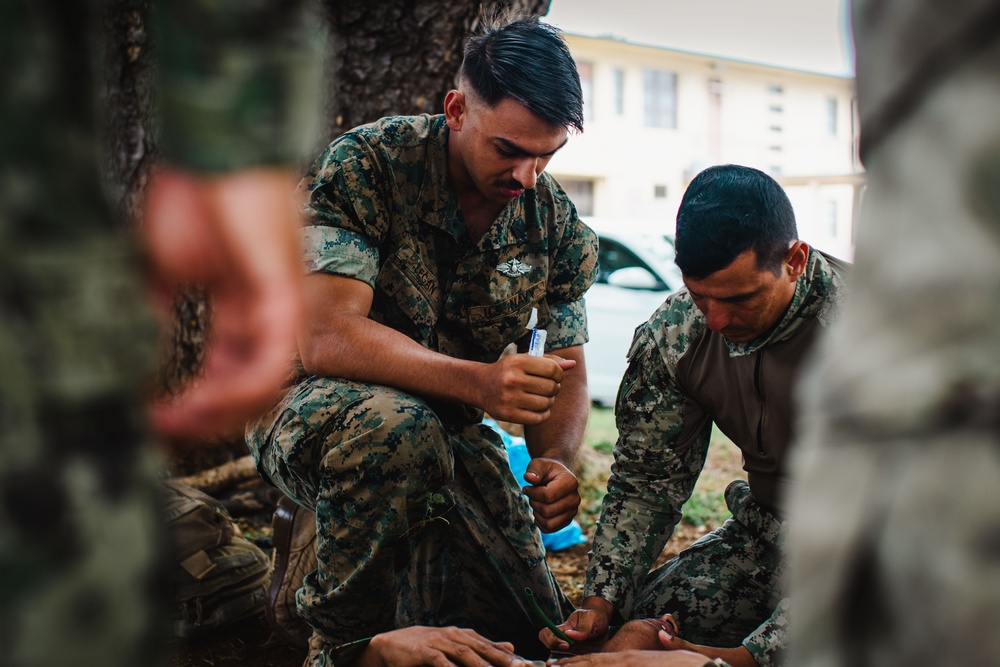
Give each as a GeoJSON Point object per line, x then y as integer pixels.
{"type": "Point", "coordinates": [726, 589]}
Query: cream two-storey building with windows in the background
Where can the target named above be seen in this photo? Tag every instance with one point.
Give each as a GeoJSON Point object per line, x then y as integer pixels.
{"type": "Point", "coordinates": [655, 117]}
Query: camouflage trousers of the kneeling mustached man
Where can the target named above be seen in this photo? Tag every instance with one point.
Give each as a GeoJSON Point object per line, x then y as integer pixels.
{"type": "Point", "coordinates": [418, 522]}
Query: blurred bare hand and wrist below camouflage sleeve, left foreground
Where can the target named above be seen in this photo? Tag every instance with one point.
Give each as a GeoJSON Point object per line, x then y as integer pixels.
{"type": "Point", "coordinates": [235, 235]}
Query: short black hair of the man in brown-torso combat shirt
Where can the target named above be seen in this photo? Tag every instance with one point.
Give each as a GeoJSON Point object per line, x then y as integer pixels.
{"type": "Point", "coordinates": [728, 210]}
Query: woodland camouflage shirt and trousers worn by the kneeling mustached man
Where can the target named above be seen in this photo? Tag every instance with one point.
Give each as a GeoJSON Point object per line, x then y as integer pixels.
{"type": "Point", "coordinates": [420, 520]}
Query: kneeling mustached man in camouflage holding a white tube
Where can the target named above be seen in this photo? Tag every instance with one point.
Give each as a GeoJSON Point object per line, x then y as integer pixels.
{"type": "Point", "coordinates": [430, 242]}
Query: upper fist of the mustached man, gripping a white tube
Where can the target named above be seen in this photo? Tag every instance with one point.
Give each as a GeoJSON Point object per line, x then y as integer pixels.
{"type": "Point", "coordinates": [522, 389]}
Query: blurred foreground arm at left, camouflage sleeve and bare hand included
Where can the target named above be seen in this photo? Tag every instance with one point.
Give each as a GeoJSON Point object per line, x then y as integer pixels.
{"type": "Point", "coordinates": [238, 95]}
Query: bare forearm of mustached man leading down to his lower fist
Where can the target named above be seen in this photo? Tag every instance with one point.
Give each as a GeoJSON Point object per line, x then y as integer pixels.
{"type": "Point", "coordinates": [560, 436]}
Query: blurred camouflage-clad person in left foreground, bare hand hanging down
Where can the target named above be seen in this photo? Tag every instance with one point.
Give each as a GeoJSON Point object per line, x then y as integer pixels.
{"type": "Point", "coordinates": [78, 519]}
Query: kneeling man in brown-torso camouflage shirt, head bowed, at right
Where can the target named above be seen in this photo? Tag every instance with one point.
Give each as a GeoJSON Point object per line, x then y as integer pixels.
{"type": "Point", "coordinates": [724, 350]}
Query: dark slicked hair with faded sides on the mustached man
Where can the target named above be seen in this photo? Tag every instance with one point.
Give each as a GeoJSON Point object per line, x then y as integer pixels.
{"type": "Point", "coordinates": [528, 61]}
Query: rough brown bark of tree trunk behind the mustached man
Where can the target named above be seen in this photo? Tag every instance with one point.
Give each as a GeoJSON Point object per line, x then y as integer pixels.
{"type": "Point", "coordinates": [389, 57]}
